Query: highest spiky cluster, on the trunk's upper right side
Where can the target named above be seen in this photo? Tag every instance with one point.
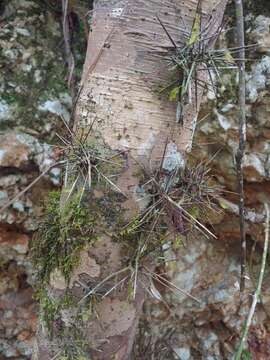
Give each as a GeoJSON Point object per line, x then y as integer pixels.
{"type": "Point", "coordinates": [195, 57]}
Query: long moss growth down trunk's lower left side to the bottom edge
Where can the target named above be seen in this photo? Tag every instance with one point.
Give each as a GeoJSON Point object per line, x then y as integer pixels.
{"type": "Point", "coordinates": [63, 233]}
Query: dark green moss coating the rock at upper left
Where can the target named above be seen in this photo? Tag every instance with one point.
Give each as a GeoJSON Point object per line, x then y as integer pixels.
{"type": "Point", "coordinates": [26, 90]}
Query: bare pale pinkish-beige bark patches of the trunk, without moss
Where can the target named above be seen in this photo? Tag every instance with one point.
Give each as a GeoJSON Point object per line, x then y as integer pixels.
{"type": "Point", "coordinates": [125, 65]}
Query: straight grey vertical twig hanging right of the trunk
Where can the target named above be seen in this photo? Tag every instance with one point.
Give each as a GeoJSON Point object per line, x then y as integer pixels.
{"type": "Point", "coordinates": [242, 136]}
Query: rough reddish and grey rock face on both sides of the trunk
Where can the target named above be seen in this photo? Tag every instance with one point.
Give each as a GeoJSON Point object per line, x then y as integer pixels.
{"type": "Point", "coordinates": [33, 96]}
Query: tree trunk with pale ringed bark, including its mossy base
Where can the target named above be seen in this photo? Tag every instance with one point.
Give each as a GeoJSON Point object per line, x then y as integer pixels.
{"type": "Point", "coordinates": [134, 131]}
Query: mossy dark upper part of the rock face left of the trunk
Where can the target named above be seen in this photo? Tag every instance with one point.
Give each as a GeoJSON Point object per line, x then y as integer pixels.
{"type": "Point", "coordinates": [33, 86]}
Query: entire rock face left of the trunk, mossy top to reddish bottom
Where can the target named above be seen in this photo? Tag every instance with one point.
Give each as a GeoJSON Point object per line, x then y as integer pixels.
{"type": "Point", "coordinates": [33, 95]}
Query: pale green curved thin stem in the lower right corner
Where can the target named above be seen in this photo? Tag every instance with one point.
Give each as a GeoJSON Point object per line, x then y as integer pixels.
{"type": "Point", "coordinates": [258, 290]}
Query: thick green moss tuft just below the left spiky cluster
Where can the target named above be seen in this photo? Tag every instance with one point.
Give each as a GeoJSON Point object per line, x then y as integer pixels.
{"type": "Point", "coordinates": [61, 237]}
